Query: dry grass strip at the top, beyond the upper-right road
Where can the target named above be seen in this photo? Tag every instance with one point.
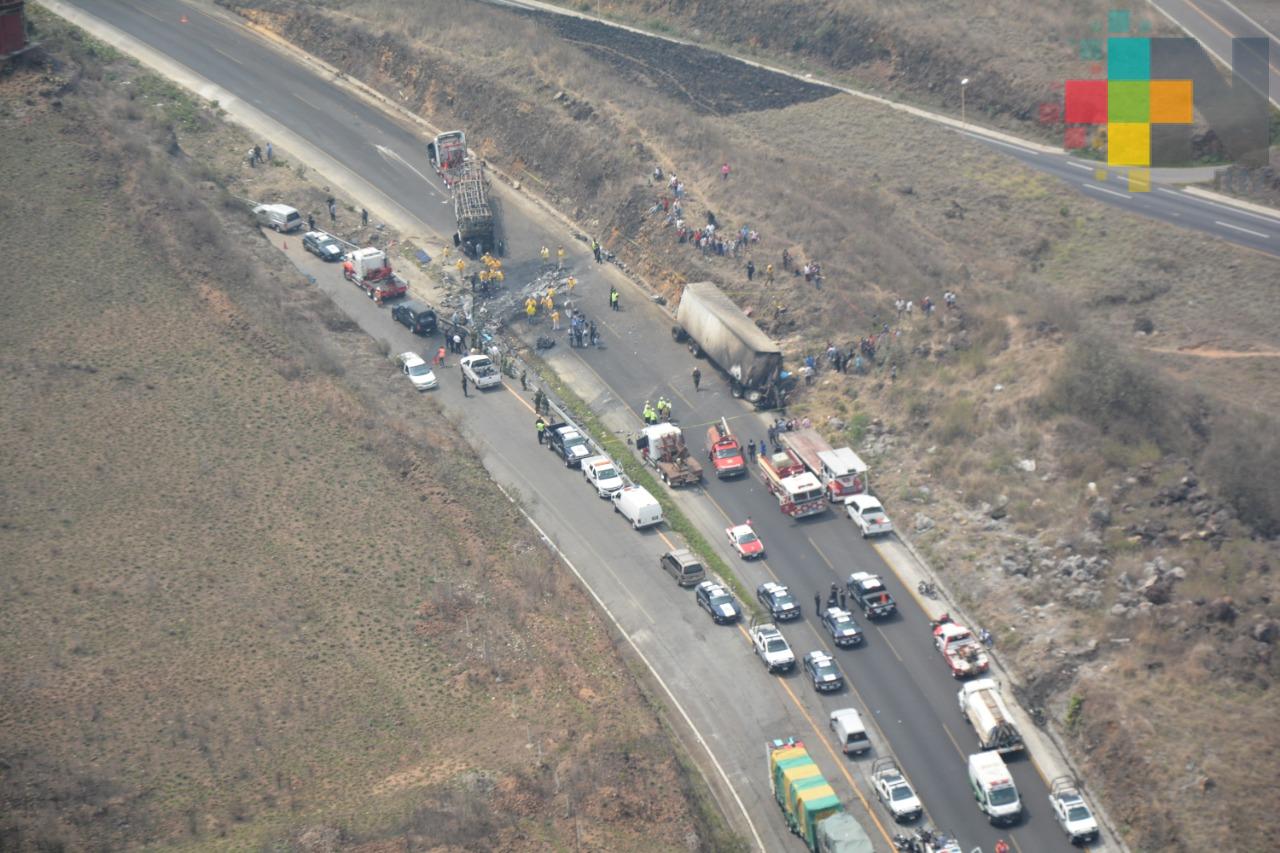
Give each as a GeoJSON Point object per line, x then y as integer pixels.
{"type": "Point", "coordinates": [1016, 53]}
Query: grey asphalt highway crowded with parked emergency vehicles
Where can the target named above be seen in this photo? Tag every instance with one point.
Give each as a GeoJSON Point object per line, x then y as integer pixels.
{"type": "Point", "coordinates": [724, 696]}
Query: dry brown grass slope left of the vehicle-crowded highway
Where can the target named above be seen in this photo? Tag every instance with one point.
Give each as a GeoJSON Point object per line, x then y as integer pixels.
{"type": "Point", "coordinates": [244, 606]}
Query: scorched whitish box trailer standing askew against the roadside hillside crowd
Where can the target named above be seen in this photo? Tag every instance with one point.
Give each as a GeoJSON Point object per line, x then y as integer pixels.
{"type": "Point", "coordinates": [714, 326]}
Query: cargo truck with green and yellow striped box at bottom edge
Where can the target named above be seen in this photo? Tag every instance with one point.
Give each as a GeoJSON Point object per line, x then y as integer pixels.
{"type": "Point", "coordinates": [810, 802]}
